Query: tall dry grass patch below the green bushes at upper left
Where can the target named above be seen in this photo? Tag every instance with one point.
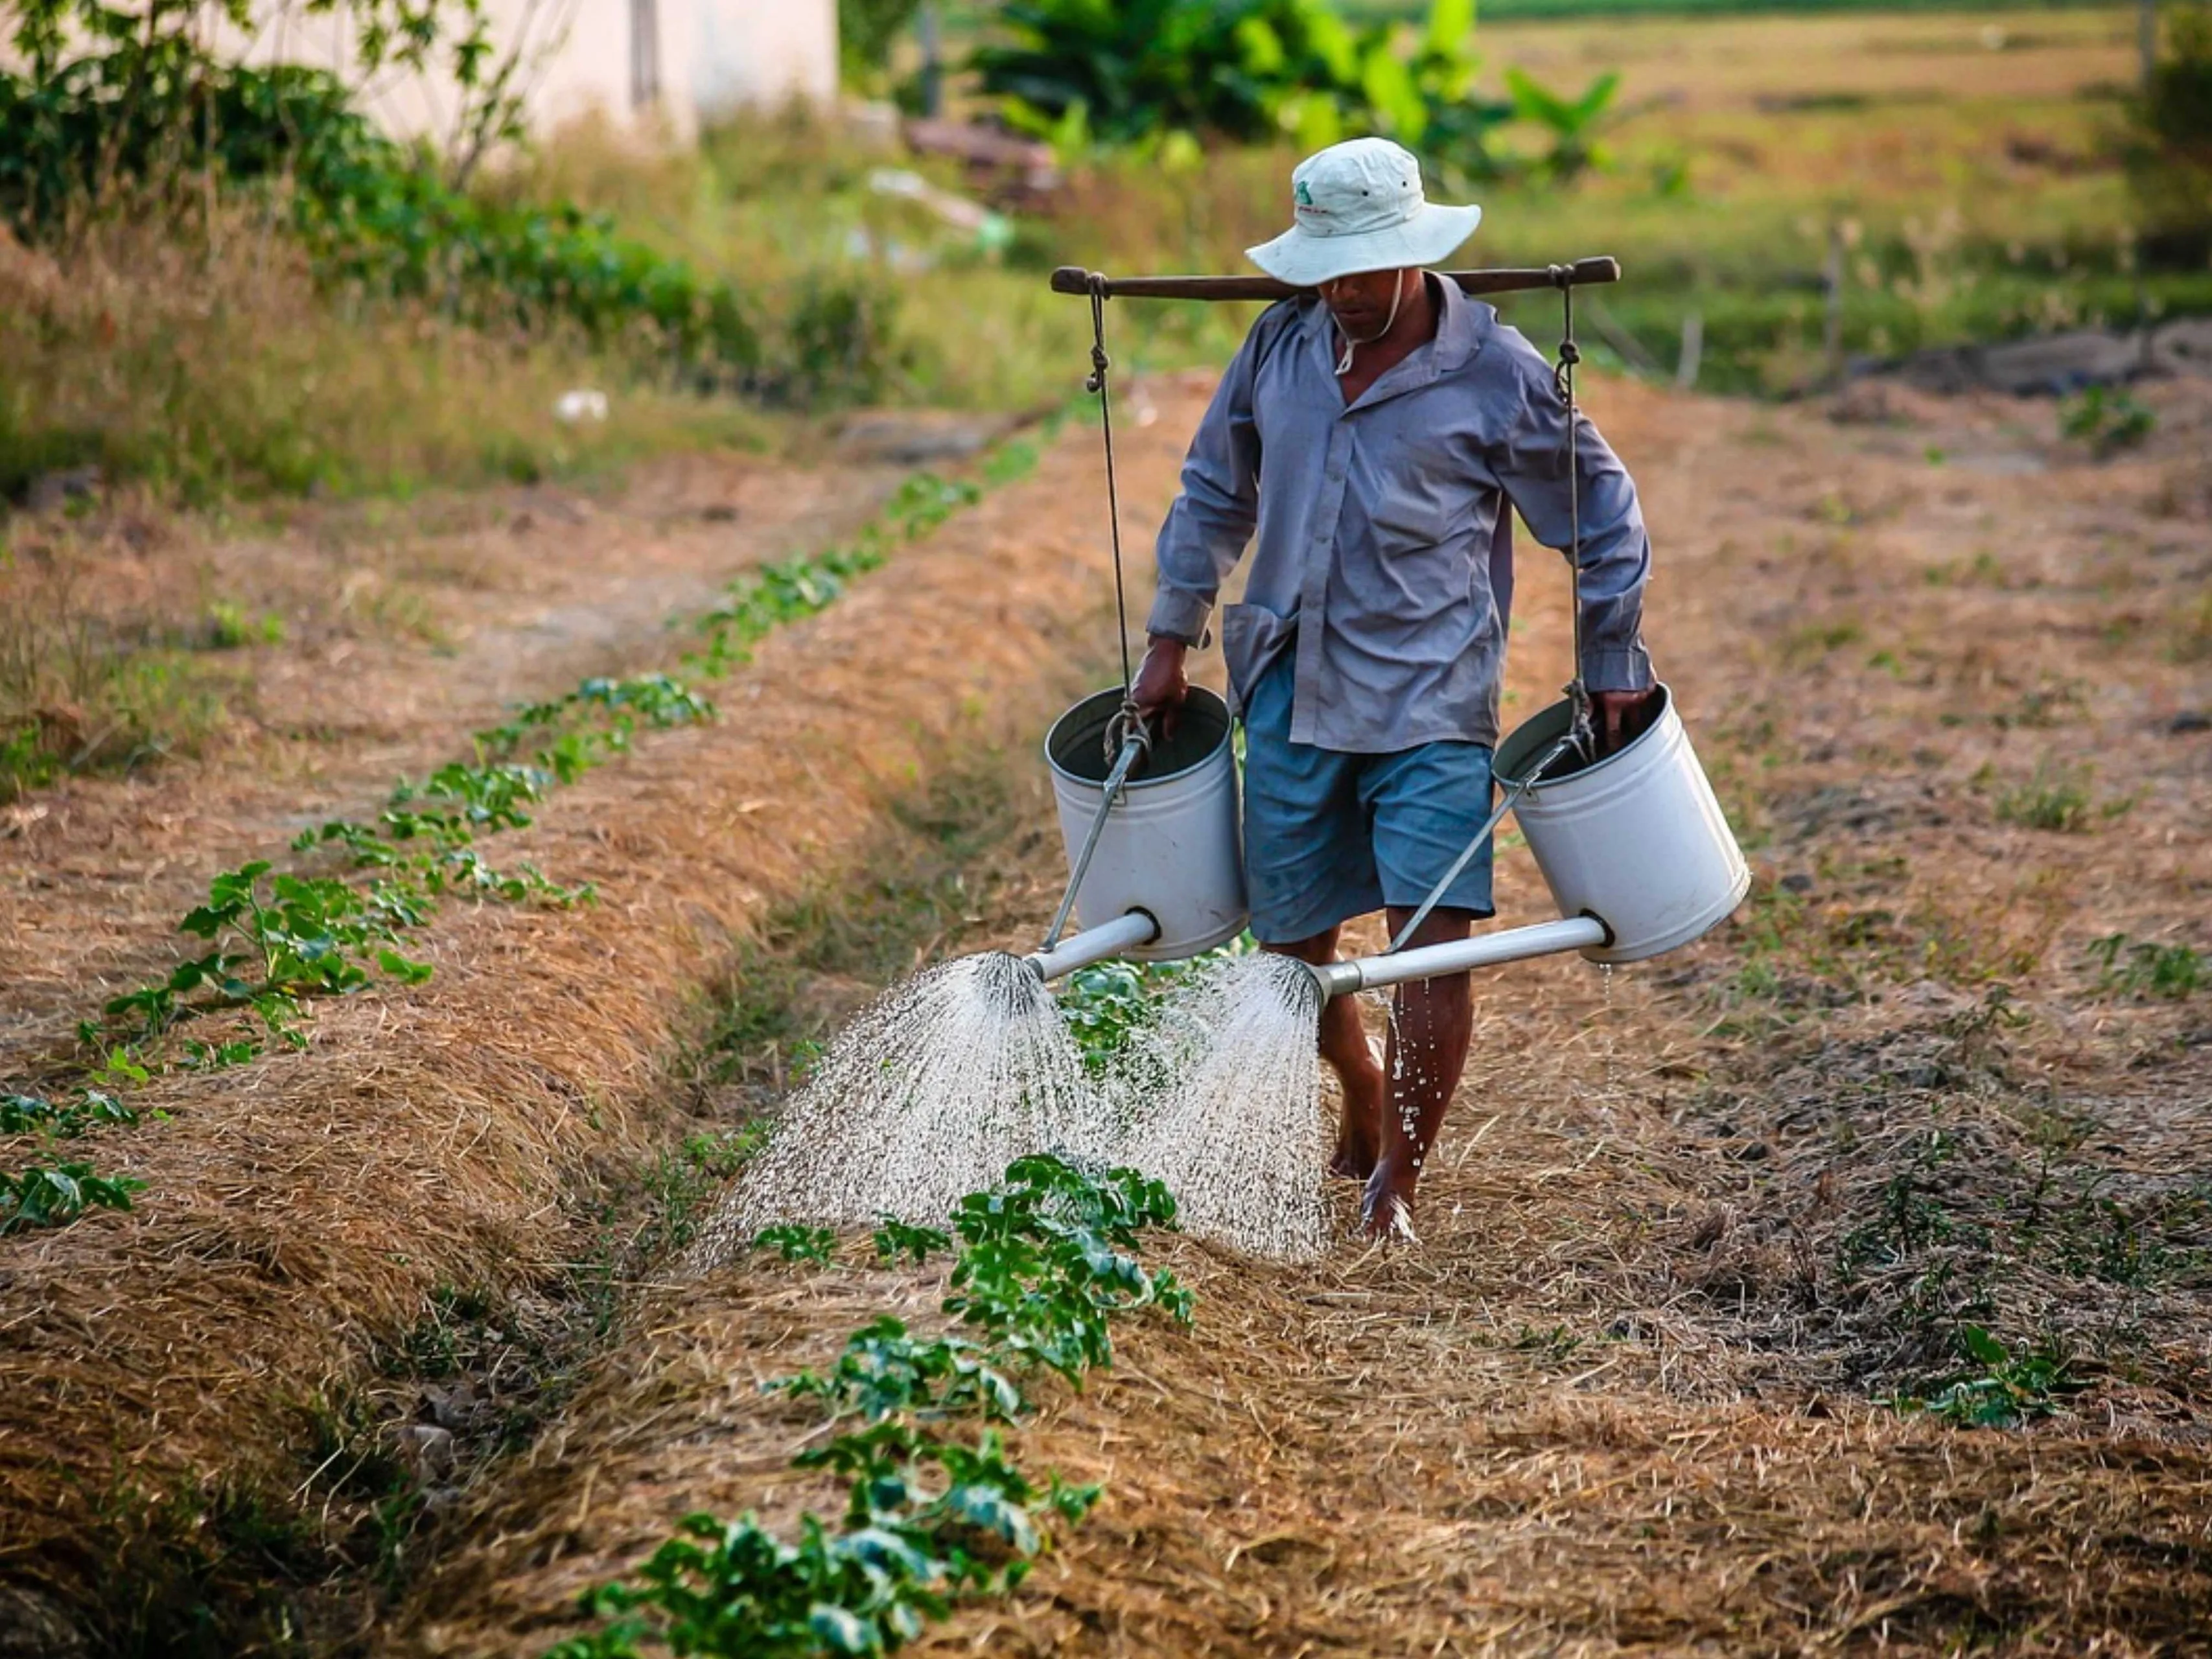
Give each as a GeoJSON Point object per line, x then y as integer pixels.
{"type": "Point", "coordinates": [211, 366]}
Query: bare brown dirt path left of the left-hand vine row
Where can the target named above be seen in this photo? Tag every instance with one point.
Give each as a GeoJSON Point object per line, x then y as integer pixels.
{"type": "Point", "coordinates": [404, 634]}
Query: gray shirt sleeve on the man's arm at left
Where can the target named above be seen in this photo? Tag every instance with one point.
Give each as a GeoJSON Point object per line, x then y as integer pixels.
{"type": "Point", "coordinates": [1218, 508]}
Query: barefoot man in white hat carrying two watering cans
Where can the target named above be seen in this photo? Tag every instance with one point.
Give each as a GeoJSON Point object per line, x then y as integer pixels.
{"type": "Point", "coordinates": [1377, 435]}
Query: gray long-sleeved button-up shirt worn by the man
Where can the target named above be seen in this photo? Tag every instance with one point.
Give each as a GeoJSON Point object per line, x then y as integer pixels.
{"type": "Point", "coordinates": [1386, 547]}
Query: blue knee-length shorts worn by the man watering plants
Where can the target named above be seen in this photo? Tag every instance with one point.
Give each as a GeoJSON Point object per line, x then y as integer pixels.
{"type": "Point", "coordinates": [1333, 835]}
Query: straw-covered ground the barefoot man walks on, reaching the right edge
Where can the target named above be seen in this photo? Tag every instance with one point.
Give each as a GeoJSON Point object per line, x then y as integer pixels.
{"type": "Point", "coordinates": [1691, 1224]}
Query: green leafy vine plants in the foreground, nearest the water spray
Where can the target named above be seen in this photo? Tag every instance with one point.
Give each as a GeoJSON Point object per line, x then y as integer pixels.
{"type": "Point", "coordinates": [1045, 1262]}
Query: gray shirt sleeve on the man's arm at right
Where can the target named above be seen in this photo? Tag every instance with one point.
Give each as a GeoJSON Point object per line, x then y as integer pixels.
{"type": "Point", "coordinates": [1616, 547]}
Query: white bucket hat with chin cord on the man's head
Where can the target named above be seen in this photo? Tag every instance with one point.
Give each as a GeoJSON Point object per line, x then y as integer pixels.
{"type": "Point", "coordinates": [1359, 207]}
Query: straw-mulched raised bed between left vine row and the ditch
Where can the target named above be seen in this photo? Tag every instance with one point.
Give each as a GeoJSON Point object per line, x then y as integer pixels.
{"type": "Point", "coordinates": [304, 1211]}
